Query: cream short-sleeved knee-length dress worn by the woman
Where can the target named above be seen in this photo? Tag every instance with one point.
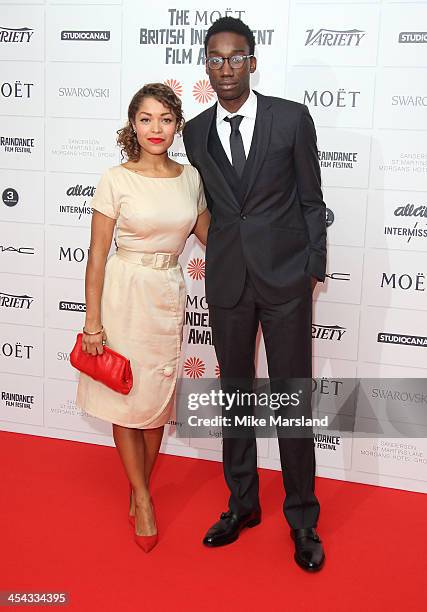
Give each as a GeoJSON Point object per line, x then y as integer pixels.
{"type": "Point", "coordinates": [143, 307]}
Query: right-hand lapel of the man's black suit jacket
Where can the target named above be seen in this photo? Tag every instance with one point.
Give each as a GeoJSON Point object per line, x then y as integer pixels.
{"type": "Point", "coordinates": [259, 145]}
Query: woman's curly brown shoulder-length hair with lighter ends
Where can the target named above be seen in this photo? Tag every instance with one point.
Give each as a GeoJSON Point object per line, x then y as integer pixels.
{"type": "Point", "coordinates": [126, 137]}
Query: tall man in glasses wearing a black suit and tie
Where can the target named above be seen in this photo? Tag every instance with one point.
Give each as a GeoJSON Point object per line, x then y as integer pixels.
{"type": "Point", "coordinates": [266, 249]}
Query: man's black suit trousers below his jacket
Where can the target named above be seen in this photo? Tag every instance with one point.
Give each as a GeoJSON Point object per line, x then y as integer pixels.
{"type": "Point", "coordinates": [287, 337]}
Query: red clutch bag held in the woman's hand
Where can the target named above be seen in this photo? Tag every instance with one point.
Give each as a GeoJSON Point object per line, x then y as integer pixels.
{"type": "Point", "coordinates": [110, 368]}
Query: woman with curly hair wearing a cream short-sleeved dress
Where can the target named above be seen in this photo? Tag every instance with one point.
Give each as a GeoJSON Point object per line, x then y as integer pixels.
{"type": "Point", "coordinates": [135, 301]}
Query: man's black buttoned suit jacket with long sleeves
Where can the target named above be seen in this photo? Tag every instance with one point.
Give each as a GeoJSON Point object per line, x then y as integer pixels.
{"type": "Point", "coordinates": [271, 222]}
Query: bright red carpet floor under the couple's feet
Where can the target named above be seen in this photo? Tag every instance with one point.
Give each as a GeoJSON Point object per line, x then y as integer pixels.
{"type": "Point", "coordinates": [64, 528]}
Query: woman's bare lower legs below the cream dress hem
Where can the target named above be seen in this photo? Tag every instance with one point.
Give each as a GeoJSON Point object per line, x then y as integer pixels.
{"type": "Point", "coordinates": [130, 446]}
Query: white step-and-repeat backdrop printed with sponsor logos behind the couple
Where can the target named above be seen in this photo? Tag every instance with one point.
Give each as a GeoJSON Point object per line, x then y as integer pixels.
{"type": "Point", "coordinates": [67, 73]}
